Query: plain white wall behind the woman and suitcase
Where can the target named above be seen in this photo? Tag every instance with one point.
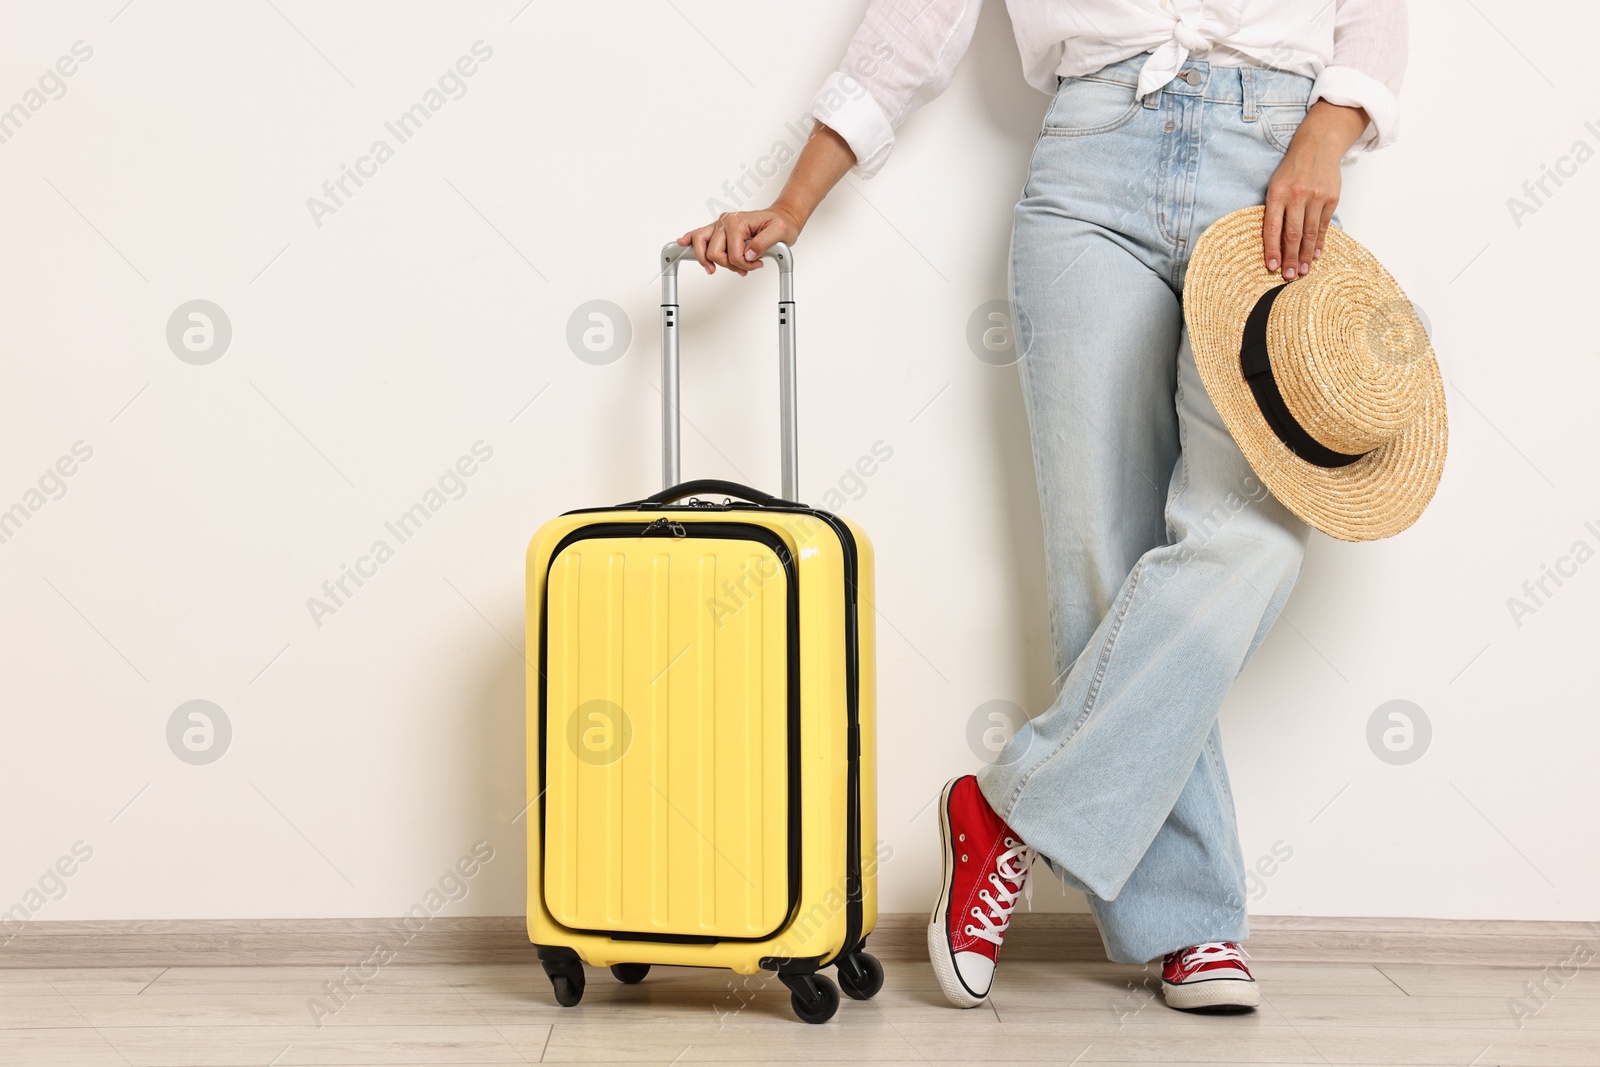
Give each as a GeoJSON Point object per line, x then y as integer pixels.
{"type": "Point", "coordinates": [375, 350]}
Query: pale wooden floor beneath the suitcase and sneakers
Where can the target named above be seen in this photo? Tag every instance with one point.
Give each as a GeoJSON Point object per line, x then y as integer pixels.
{"type": "Point", "coordinates": [1342, 1013]}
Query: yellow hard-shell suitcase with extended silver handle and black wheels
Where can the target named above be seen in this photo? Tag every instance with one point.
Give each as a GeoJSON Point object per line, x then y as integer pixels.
{"type": "Point", "coordinates": [702, 751]}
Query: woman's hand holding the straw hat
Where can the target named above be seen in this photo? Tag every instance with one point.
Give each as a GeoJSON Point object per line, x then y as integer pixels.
{"type": "Point", "coordinates": [1305, 191]}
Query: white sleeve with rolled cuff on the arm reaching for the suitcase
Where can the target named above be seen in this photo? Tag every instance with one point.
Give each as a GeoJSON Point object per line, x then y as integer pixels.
{"type": "Point", "coordinates": [903, 57]}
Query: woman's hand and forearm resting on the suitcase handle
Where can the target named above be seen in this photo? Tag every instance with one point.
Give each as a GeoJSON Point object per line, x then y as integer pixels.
{"type": "Point", "coordinates": [738, 239]}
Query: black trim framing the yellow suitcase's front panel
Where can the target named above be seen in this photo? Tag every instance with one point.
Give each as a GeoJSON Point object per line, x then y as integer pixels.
{"type": "Point", "coordinates": [738, 532]}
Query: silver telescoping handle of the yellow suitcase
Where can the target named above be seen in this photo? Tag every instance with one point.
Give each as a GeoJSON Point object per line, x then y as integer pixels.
{"type": "Point", "coordinates": [671, 257]}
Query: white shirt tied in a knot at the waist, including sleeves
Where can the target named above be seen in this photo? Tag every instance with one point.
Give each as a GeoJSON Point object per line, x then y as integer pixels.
{"type": "Point", "coordinates": [906, 54]}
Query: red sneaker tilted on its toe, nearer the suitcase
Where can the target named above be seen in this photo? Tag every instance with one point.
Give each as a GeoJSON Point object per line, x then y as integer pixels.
{"type": "Point", "coordinates": [985, 871]}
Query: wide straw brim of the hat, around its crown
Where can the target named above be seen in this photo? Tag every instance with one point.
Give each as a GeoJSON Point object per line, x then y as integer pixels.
{"type": "Point", "coordinates": [1378, 495]}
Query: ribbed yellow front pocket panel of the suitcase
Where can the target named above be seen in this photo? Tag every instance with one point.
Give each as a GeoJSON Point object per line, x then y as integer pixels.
{"type": "Point", "coordinates": [671, 693]}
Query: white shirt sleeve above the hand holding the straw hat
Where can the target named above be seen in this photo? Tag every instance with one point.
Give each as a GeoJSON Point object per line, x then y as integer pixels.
{"type": "Point", "coordinates": [1367, 68]}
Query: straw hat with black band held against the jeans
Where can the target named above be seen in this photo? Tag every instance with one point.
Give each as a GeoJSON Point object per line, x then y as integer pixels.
{"type": "Point", "coordinates": [1343, 415]}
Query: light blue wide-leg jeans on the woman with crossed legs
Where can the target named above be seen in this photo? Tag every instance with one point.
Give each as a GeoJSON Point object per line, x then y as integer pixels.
{"type": "Point", "coordinates": [1166, 556]}
